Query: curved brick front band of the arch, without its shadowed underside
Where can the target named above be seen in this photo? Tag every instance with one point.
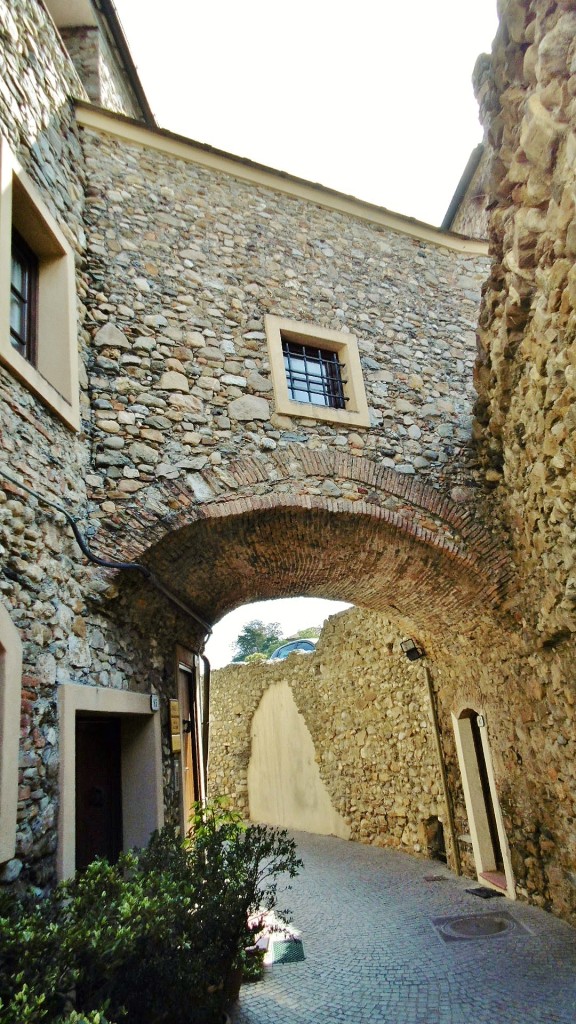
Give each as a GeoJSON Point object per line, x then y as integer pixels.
{"type": "Point", "coordinates": [144, 520]}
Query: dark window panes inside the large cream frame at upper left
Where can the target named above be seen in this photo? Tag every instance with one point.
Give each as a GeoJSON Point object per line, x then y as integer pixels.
{"type": "Point", "coordinates": [24, 298]}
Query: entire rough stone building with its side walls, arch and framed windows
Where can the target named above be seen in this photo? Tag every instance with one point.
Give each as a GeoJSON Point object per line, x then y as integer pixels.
{"type": "Point", "coordinates": [174, 283]}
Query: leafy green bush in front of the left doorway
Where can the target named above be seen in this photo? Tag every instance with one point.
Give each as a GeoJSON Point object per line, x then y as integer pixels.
{"type": "Point", "coordinates": [149, 941]}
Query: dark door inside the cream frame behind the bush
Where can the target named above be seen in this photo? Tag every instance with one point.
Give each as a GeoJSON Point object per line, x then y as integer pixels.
{"type": "Point", "coordinates": [99, 790]}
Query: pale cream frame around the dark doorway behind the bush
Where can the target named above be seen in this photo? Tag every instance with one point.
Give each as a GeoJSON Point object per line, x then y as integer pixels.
{"type": "Point", "coordinates": [143, 809]}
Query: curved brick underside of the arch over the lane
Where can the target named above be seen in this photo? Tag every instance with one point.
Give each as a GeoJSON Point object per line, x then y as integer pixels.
{"type": "Point", "coordinates": [367, 557]}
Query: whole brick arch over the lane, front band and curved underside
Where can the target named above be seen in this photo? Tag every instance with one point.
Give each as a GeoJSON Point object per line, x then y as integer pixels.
{"type": "Point", "coordinates": [266, 530]}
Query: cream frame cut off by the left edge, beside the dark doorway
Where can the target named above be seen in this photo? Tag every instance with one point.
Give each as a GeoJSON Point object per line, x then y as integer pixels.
{"type": "Point", "coordinates": [11, 687]}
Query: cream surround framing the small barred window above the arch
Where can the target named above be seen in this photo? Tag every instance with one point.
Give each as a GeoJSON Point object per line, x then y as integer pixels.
{"type": "Point", "coordinates": [279, 329]}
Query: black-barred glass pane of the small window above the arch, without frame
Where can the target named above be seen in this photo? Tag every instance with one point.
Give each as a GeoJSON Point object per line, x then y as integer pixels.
{"type": "Point", "coordinates": [314, 375]}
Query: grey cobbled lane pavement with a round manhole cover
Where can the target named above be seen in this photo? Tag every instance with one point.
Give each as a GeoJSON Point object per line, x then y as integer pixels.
{"type": "Point", "coordinates": [375, 955]}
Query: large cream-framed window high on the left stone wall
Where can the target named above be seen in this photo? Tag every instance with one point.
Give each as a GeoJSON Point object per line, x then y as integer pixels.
{"type": "Point", "coordinates": [48, 363]}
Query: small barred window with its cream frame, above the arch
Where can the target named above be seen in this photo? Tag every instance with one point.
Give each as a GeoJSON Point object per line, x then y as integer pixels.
{"type": "Point", "coordinates": [316, 373]}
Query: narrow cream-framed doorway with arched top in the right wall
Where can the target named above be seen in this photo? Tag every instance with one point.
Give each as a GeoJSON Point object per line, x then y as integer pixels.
{"type": "Point", "coordinates": [487, 830]}
